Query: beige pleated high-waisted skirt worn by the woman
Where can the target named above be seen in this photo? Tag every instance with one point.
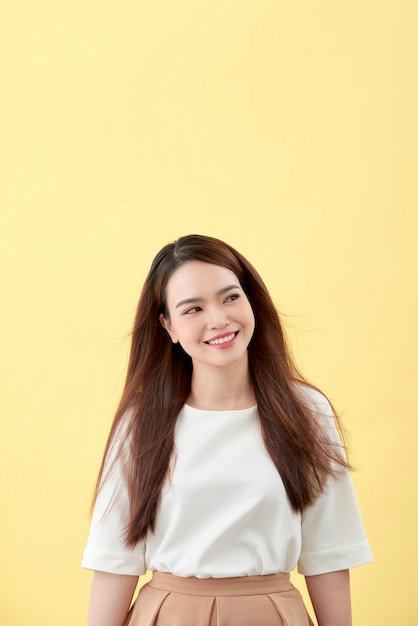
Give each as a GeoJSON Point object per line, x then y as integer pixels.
{"type": "Point", "coordinates": [169, 600]}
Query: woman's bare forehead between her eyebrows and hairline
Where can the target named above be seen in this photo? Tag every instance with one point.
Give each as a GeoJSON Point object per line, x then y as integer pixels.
{"type": "Point", "coordinates": [195, 279]}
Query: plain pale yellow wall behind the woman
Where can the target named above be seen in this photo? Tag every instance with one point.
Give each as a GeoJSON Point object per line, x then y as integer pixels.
{"type": "Point", "coordinates": [289, 130]}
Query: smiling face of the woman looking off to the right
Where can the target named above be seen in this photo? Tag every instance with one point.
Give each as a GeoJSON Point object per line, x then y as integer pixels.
{"type": "Point", "coordinates": [209, 314]}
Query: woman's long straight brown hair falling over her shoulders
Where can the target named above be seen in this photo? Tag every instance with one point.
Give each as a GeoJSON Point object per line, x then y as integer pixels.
{"type": "Point", "coordinates": [158, 383]}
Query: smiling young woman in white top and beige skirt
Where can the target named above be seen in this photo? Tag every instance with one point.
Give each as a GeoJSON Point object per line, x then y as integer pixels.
{"type": "Point", "coordinates": [223, 468]}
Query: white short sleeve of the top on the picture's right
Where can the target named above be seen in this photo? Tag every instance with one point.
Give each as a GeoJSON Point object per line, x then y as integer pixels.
{"type": "Point", "coordinates": [333, 536]}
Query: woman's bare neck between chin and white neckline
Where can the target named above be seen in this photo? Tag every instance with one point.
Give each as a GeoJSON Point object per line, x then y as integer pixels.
{"type": "Point", "coordinates": [221, 389]}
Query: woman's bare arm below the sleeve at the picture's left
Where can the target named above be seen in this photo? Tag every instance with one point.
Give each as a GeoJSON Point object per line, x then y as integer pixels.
{"type": "Point", "coordinates": [110, 598]}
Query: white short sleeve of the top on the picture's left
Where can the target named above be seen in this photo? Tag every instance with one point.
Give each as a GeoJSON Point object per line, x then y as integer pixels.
{"type": "Point", "coordinates": [105, 550]}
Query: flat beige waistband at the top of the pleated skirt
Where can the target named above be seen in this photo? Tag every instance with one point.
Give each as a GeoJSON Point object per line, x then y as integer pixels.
{"type": "Point", "coordinates": [237, 586]}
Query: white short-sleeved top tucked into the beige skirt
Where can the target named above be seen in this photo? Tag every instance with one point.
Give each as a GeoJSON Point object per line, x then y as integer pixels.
{"type": "Point", "coordinates": [224, 511]}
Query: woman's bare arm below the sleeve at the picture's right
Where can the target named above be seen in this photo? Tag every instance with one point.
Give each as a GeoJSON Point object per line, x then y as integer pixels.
{"type": "Point", "coordinates": [330, 596]}
